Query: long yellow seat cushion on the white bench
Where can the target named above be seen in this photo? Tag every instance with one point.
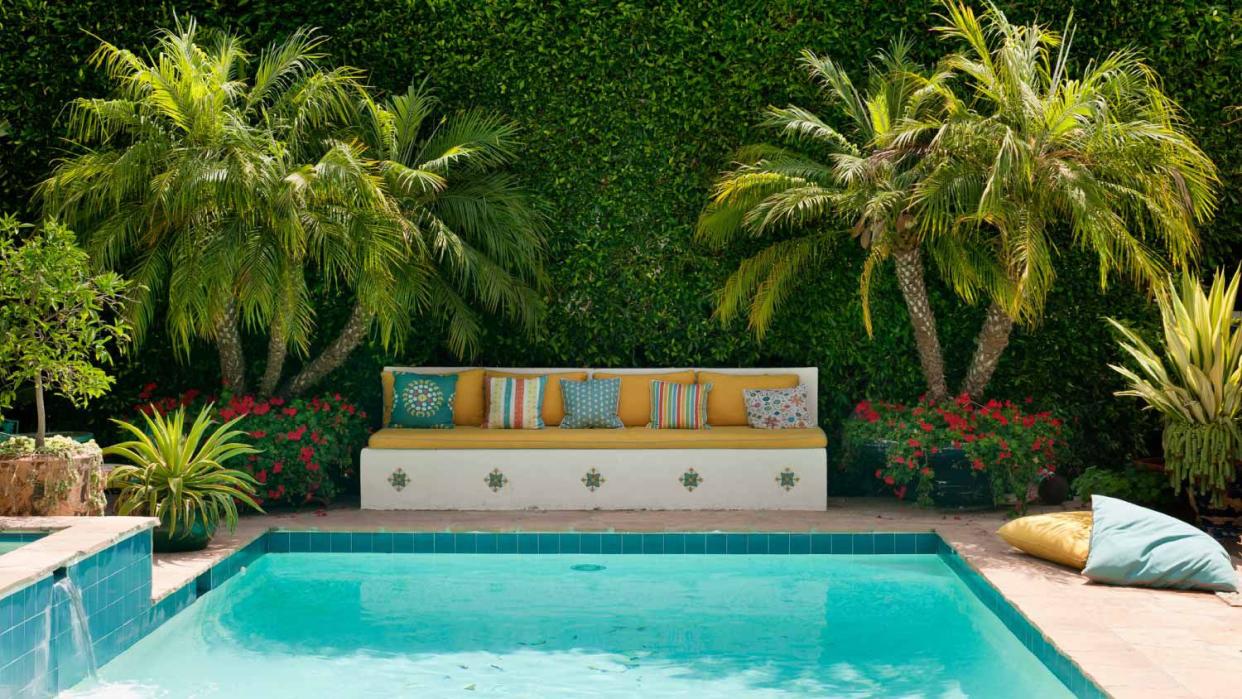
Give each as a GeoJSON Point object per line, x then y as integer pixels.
{"type": "Point", "coordinates": [624, 439]}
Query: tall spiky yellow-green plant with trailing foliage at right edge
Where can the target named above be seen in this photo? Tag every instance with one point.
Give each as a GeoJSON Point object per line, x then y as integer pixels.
{"type": "Point", "coordinates": [1195, 383]}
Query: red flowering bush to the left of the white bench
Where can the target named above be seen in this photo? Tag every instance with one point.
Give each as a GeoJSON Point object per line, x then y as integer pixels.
{"type": "Point", "coordinates": [307, 446]}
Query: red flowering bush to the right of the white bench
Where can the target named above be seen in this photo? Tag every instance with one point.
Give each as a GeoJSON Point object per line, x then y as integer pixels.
{"type": "Point", "coordinates": [1013, 445]}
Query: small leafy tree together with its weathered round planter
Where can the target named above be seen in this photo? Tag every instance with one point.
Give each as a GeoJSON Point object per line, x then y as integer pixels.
{"type": "Point", "coordinates": [58, 323]}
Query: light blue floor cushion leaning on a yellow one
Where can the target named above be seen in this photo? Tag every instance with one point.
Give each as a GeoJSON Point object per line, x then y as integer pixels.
{"type": "Point", "coordinates": [1133, 546]}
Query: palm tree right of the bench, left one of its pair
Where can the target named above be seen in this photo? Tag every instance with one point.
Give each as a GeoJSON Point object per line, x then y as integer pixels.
{"type": "Point", "coordinates": [864, 173]}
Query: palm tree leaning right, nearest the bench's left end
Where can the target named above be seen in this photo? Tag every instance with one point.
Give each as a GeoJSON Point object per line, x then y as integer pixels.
{"type": "Point", "coordinates": [473, 237]}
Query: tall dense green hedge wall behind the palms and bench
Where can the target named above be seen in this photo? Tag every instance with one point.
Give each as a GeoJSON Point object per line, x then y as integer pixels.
{"type": "Point", "coordinates": [629, 111]}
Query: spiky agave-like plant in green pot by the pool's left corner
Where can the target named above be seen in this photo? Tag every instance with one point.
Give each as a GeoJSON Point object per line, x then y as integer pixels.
{"type": "Point", "coordinates": [181, 477]}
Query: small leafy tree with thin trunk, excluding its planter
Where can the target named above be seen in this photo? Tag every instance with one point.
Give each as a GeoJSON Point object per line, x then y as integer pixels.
{"type": "Point", "coordinates": [58, 318]}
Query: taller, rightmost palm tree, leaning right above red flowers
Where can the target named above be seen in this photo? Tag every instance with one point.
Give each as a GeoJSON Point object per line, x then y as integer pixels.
{"type": "Point", "coordinates": [1035, 151]}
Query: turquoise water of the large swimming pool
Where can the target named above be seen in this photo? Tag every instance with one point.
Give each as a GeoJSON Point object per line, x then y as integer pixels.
{"type": "Point", "coordinates": [374, 625]}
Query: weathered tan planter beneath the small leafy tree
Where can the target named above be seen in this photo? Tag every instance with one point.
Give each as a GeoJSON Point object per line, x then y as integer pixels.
{"type": "Point", "coordinates": [53, 486]}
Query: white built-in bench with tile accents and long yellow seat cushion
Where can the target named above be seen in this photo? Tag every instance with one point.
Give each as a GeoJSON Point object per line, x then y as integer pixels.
{"type": "Point", "coordinates": [473, 467]}
